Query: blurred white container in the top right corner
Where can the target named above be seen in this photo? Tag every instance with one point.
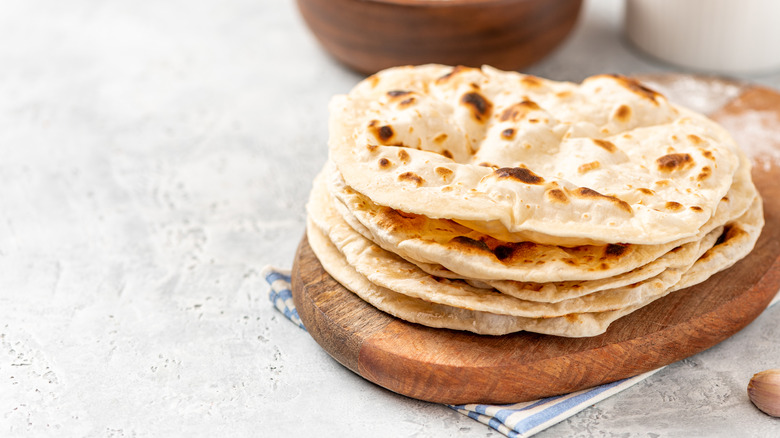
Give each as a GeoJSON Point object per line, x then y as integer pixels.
{"type": "Point", "coordinates": [723, 36]}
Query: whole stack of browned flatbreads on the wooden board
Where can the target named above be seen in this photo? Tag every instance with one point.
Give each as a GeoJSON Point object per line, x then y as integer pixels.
{"type": "Point", "coordinates": [495, 202]}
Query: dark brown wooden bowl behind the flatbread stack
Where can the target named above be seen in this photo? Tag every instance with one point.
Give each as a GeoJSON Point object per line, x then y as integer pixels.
{"type": "Point", "coordinates": [370, 35]}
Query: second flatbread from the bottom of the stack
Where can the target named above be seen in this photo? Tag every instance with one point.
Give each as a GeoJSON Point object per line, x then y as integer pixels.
{"type": "Point", "coordinates": [390, 271]}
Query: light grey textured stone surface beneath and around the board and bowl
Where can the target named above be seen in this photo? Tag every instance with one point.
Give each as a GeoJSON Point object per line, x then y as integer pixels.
{"type": "Point", "coordinates": [154, 157]}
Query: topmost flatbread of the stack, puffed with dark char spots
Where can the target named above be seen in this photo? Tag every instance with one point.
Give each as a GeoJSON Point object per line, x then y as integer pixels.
{"type": "Point", "coordinates": [522, 158]}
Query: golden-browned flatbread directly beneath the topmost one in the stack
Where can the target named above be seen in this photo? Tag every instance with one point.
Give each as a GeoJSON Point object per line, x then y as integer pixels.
{"type": "Point", "coordinates": [431, 243]}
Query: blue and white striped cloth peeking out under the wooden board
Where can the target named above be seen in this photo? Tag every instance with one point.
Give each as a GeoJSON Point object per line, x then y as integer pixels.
{"type": "Point", "coordinates": [518, 420]}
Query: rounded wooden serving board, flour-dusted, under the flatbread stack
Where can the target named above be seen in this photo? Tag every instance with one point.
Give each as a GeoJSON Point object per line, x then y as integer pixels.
{"type": "Point", "coordinates": [454, 367]}
